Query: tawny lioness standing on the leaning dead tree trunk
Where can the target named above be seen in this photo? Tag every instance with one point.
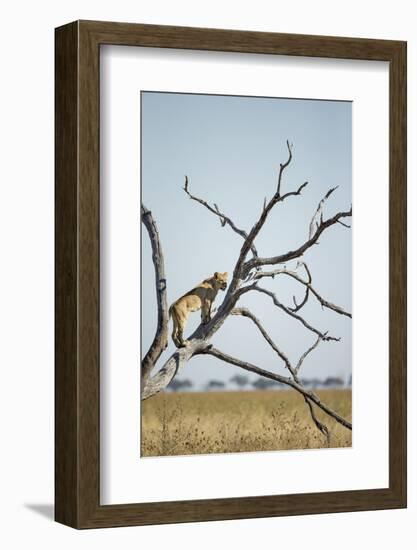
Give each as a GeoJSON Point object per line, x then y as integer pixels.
{"type": "Point", "coordinates": [200, 297]}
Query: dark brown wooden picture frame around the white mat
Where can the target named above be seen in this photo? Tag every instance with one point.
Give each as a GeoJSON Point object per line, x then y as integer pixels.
{"type": "Point", "coordinates": [77, 373]}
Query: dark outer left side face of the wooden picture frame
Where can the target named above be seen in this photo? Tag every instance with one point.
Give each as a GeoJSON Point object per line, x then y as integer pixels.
{"type": "Point", "coordinates": [66, 236]}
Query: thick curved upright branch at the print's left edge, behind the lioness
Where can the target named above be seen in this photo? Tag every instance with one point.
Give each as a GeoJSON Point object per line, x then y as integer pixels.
{"type": "Point", "coordinates": [160, 340]}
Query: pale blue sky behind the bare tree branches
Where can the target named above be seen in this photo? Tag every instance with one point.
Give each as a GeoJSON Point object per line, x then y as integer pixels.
{"type": "Point", "coordinates": [230, 148]}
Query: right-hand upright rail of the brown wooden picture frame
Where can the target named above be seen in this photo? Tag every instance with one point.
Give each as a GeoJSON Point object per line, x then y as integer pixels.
{"type": "Point", "coordinates": [398, 273]}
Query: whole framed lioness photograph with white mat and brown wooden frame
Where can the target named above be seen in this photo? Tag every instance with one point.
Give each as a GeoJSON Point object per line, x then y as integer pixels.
{"type": "Point", "coordinates": [230, 274]}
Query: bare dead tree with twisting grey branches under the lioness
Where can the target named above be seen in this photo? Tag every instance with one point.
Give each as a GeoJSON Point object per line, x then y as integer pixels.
{"type": "Point", "coordinates": [247, 276]}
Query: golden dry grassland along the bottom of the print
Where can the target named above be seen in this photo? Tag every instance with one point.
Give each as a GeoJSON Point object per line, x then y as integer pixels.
{"type": "Point", "coordinates": [241, 421]}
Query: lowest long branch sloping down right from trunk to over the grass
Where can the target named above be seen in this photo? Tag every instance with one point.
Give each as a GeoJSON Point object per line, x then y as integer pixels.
{"type": "Point", "coordinates": [278, 378]}
